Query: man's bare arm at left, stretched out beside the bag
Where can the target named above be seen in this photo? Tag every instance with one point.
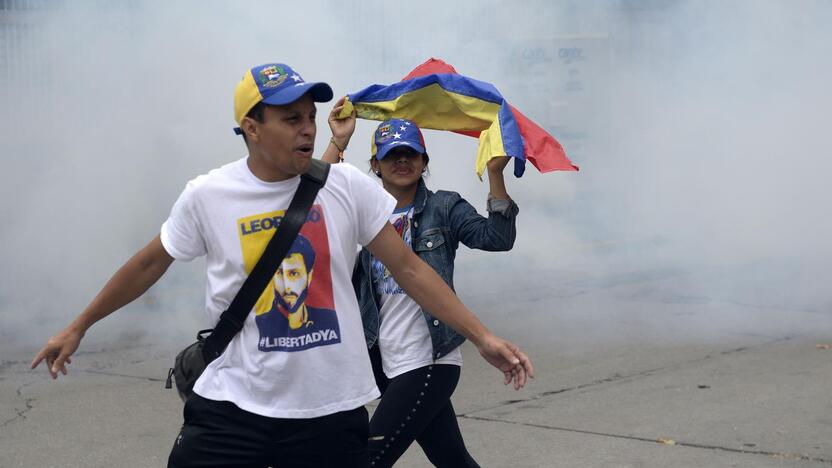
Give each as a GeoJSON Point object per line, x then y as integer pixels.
{"type": "Point", "coordinates": [129, 282]}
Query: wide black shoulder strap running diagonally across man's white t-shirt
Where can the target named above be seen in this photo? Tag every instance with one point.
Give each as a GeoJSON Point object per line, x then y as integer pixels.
{"type": "Point", "coordinates": [232, 320]}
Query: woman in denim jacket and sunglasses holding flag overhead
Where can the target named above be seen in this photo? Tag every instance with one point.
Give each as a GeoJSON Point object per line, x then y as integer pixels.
{"type": "Point", "coordinates": [416, 358]}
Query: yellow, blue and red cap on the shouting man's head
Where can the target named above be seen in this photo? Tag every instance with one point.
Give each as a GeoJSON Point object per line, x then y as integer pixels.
{"type": "Point", "coordinates": [276, 84]}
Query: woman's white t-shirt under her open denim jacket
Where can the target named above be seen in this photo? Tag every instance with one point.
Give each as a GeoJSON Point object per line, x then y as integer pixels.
{"type": "Point", "coordinates": [403, 337]}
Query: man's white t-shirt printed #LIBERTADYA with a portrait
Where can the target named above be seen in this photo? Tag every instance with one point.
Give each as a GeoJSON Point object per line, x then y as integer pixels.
{"type": "Point", "coordinates": [276, 367]}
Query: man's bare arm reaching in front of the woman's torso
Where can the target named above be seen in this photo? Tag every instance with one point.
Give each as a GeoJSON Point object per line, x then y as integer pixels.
{"type": "Point", "coordinates": [426, 287]}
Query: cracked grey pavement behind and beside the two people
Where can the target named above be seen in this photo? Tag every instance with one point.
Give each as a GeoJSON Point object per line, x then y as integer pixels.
{"type": "Point", "coordinates": [668, 381]}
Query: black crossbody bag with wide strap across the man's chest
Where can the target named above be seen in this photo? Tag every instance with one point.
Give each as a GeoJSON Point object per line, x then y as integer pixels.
{"type": "Point", "coordinates": [191, 361]}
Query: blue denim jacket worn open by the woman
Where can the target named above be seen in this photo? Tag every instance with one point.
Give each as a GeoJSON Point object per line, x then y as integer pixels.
{"type": "Point", "coordinates": [441, 221]}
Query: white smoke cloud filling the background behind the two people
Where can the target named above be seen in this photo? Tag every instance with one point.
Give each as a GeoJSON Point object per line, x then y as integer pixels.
{"type": "Point", "coordinates": [705, 157]}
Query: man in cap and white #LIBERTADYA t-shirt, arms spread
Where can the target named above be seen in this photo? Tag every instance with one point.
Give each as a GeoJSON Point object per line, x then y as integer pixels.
{"type": "Point", "coordinates": [292, 399]}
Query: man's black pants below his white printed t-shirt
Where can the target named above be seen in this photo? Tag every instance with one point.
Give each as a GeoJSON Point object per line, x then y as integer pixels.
{"type": "Point", "coordinates": [218, 433]}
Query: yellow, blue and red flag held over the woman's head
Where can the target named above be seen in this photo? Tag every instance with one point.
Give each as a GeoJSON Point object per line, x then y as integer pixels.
{"type": "Point", "coordinates": [435, 96]}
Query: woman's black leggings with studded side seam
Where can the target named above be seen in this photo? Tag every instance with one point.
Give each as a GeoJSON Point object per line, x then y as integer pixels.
{"type": "Point", "coordinates": [417, 406]}
